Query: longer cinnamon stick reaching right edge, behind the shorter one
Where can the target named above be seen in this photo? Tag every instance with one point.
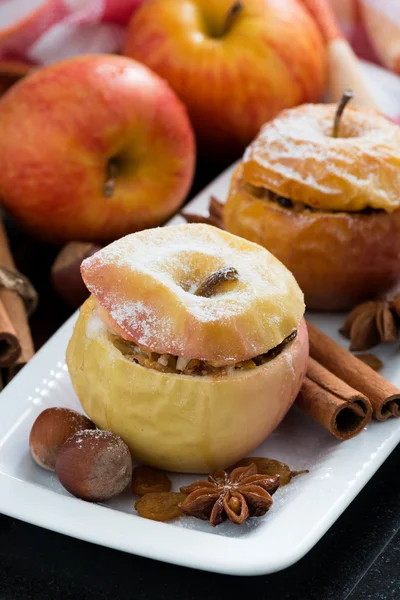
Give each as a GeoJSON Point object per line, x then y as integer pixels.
{"type": "Point", "coordinates": [383, 396]}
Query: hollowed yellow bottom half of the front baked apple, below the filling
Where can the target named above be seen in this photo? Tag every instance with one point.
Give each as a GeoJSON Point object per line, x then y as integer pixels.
{"type": "Point", "coordinates": [179, 422]}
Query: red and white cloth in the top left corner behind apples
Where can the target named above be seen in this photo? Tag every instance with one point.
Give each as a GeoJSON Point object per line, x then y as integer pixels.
{"type": "Point", "coordinates": [55, 29]}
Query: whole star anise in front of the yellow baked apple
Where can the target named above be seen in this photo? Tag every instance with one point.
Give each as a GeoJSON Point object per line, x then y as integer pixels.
{"type": "Point", "coordinates": [242, 494]}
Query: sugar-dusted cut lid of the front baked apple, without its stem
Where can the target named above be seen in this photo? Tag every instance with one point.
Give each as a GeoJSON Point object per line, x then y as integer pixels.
{"type": "Point", "coordinates": [145, 284]}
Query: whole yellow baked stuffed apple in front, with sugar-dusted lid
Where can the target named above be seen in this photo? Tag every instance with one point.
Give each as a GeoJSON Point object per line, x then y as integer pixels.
{"type": "Point", "coordinates": [191, 347]}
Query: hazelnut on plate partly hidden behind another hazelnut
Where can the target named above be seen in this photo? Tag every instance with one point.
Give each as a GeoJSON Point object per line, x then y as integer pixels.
{"type": "Point", "coordinates": [49, 432]}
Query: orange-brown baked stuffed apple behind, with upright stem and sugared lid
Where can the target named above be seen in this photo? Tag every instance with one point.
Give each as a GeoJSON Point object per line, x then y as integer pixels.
{"type": "Point", "coordinates": [325, 201]}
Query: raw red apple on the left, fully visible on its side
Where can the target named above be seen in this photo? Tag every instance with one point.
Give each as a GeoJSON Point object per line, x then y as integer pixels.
{"type": "Point", "coordinates": [60, 126]}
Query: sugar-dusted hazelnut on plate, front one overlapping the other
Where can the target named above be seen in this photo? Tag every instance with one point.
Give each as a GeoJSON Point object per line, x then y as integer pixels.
{"type": "Point", "coordinates": [94, 465]}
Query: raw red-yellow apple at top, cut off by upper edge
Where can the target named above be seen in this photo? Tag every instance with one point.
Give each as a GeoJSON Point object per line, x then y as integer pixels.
{"type": "Point", "coordinates": [272, 57]}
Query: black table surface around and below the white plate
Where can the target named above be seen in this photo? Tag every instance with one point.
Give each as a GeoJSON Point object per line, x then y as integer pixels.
{"type": "Point", "coordinates": [359, 558]}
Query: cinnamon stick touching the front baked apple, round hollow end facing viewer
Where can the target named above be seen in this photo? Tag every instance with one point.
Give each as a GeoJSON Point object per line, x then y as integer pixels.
{"type": "Point", "coordinates": [338, 407]}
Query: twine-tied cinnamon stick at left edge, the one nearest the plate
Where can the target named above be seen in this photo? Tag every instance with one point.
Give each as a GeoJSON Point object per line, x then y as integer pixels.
{"type": "Point", "coordinates": [14, 305]}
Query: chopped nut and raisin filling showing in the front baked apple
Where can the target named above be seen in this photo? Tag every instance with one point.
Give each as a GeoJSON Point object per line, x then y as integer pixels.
{"type": "Point", "coordinates": [167, 363]}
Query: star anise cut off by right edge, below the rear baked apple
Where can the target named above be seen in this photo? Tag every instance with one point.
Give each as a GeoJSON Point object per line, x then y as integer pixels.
{"type": "Point", "coordinates": [372, 322]}
